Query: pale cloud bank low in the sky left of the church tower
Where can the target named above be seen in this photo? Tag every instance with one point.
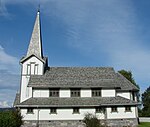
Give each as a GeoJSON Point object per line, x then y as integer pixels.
{"type": "Point", "coordinates": [9, 78]}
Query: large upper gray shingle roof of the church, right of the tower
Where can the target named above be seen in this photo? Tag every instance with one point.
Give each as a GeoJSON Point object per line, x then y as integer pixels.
{"type": "Point", "coordinates": [82, 77]}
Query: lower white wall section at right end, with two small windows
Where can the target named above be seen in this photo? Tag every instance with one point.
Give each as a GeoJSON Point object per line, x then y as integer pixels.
{"type": "Point", "coordinates": [121, 113]}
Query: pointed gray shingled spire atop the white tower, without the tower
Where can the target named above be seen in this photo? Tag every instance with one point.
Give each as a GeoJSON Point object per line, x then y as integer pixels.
{"type": "Point", "coordinates": [35, 45]}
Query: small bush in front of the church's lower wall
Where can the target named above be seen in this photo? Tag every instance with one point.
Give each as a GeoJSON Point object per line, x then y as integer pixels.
{"type": "Point", "coordinates": [92, 121]}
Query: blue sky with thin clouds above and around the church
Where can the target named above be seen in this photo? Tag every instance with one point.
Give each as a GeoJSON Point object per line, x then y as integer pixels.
{"type": "Point", "coordinates": [112, 33]}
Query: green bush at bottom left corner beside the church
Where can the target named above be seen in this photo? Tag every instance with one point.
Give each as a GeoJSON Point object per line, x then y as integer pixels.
{"type": "Point", "coordinates": [10, 118]}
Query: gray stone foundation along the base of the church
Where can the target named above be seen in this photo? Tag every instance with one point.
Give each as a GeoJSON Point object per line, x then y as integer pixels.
{"type": "Point", "coordinates": [69, 123]}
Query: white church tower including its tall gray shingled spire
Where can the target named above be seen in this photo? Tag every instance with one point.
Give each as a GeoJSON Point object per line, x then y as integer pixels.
{"type": "Point", "coordinates": [33, 63]}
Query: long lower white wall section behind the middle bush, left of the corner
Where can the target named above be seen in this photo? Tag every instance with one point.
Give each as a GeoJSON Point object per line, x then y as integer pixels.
{"type": "Point", "coordinates": [62, 114]}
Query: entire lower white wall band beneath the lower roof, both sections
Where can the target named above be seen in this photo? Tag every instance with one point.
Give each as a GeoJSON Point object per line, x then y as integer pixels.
{"type": "Point", "coordinates": [67, 114]}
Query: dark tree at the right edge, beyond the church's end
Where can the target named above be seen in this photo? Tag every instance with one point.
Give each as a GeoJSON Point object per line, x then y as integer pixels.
{"type": "Point", "coordinates": [146, 103]}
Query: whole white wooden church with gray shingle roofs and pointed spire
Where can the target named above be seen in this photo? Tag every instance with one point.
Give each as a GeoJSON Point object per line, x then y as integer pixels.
{"type": "Point", "coordinates": [63, 95]}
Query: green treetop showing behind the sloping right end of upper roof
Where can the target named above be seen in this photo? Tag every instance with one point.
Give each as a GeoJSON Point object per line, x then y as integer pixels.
{"type": "Point", "coordinates": [128, 75]}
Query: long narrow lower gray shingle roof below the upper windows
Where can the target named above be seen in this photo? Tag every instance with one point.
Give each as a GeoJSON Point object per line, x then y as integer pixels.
{"type": "Point", "coordinates": [76, 102]}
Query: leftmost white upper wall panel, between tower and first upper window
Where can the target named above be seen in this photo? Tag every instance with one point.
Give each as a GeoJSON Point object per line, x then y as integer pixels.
{"type": "Point", "coordinates": [40, 93]}
